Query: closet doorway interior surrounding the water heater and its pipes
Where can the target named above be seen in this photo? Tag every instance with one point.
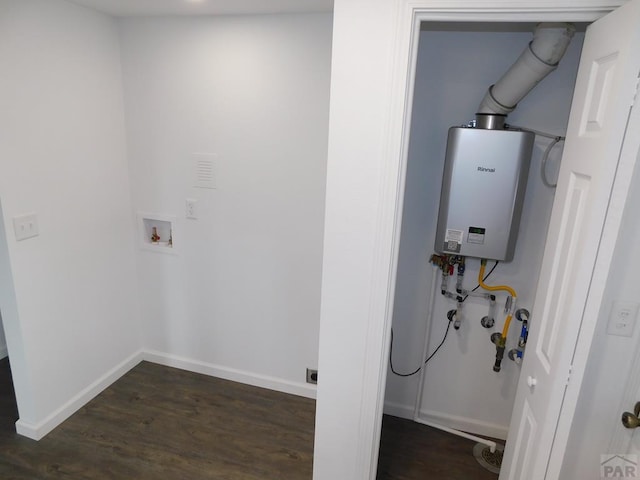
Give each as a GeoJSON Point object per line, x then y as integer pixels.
{"type": "Point", "coordinates": [457, 389]}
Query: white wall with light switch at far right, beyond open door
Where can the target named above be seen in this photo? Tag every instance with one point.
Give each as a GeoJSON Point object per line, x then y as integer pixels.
{"type": "Point", "coordinates": [610, 358]}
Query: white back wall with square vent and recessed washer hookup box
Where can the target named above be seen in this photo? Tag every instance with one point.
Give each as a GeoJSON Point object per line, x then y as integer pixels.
{"type": "Point", "coordinates": [241, 297]}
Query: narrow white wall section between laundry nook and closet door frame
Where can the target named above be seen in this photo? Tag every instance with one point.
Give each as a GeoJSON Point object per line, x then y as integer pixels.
{"type": "Point", "coordinates": [361, 70]}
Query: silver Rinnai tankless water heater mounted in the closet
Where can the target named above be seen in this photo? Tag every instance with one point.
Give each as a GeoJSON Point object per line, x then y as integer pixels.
{"type": "Point", "coordinates": [483, 187]}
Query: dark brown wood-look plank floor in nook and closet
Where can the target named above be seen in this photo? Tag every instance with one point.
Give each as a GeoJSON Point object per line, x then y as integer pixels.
{"type": "Point", "coordinates": [163, 423]}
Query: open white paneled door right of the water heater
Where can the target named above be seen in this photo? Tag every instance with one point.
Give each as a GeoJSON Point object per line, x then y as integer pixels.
{"type": "Point", "coordinates": [578, 249]}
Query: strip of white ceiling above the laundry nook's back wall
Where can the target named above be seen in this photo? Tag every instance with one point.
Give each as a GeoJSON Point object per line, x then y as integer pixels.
{"type": "Point", "coordinates": [129, 8]}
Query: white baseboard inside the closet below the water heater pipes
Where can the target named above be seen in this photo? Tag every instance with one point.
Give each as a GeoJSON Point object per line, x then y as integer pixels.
{"type": "Point", "coordinates": [465, 424]}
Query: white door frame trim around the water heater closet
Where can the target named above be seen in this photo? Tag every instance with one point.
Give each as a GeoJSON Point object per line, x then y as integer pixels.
{"type": "Point", "coordinates": [408, 16]}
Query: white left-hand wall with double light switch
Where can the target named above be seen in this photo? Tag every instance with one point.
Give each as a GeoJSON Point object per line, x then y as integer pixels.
{"type": "Point", "coordinates": [62, 156]}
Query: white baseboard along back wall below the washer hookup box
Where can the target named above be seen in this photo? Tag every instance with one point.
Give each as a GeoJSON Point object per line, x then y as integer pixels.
{"type": "Point", "coordinates": [249, 378]}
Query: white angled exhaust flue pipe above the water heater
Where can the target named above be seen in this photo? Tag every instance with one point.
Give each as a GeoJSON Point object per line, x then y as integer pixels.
{"type": "Point", "coordinates": [540, 58]}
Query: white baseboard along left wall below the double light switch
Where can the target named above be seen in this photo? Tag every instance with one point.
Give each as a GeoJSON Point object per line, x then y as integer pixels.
{"type": "Point", "coordinates": [39, 430]}
